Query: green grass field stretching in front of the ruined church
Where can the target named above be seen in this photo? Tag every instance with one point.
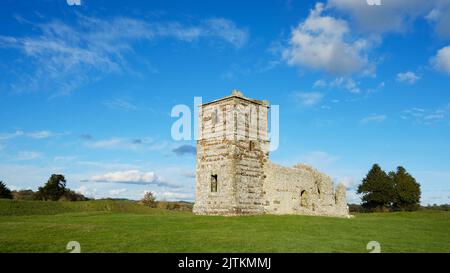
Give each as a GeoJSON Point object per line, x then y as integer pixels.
{"type": "Point", "coordinates": [121, 226]}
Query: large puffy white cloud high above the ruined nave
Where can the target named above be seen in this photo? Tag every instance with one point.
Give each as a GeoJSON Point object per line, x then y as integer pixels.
{"type": "Point", "coordinates": [323, 43]}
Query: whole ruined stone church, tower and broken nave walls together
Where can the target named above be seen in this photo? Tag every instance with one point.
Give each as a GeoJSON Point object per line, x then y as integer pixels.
{"type": "Point", "coordinates": [235, 177]}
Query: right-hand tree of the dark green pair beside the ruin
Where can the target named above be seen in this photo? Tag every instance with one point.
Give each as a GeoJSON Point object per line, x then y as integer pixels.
{"type": "Point", "coordinates": [407, 190]}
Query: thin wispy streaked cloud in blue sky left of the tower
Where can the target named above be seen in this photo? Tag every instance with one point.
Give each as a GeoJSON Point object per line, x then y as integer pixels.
{"type": "Point", "coordinates": [64, 57]}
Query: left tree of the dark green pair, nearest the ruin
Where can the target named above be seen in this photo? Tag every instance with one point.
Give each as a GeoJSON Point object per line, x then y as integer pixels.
{"type": "Point", "coordinates": [377, 190]}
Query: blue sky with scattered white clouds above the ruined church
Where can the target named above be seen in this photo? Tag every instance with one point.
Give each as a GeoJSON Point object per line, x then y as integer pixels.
{"type": "Point", "coordinates": [87, 88]}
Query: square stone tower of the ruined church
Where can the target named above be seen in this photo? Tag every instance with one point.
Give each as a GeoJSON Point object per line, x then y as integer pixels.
{"type": "Point", "coordinates": [232, 148]}
